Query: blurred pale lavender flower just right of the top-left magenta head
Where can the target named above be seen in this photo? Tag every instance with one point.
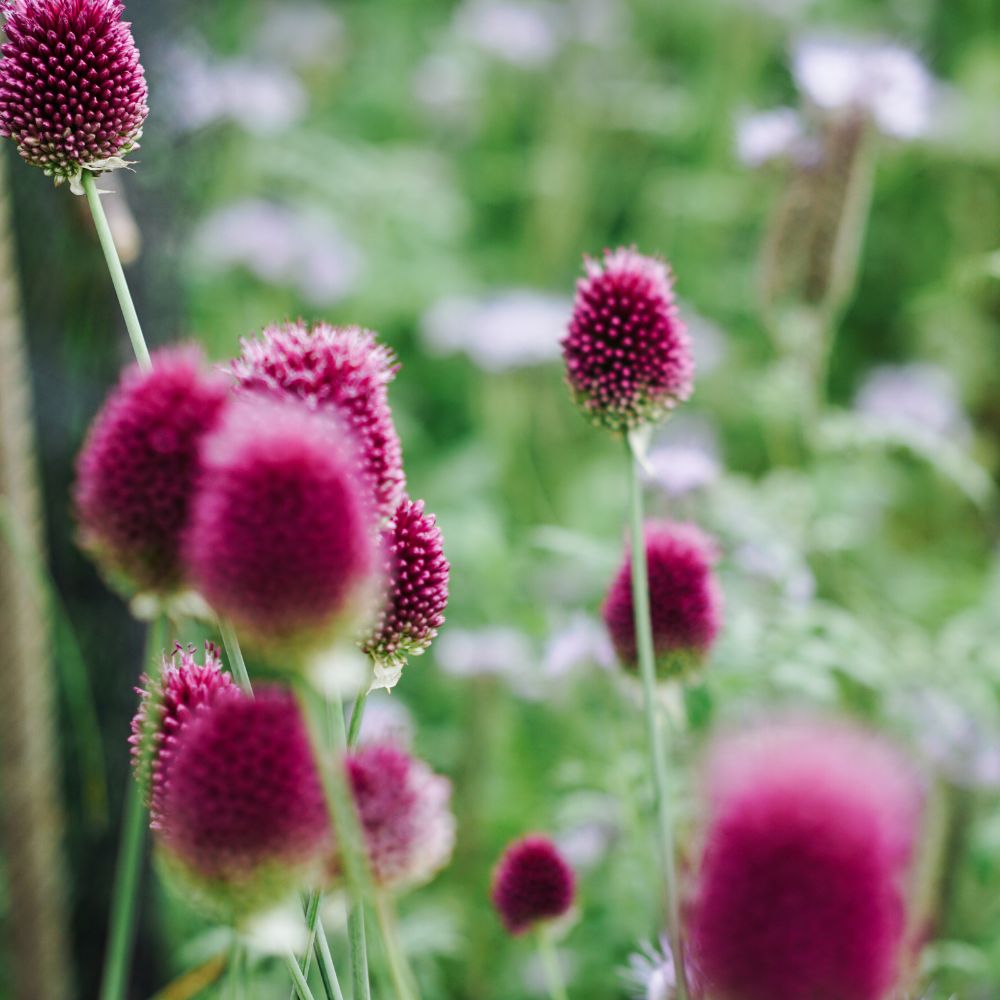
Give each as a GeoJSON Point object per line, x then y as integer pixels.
{"type": "Point", "coordinates": [202, 89]}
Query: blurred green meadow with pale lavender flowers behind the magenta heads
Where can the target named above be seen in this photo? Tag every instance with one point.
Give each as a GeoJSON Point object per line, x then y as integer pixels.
{"type": "Point", "coordinates": [822, 176]}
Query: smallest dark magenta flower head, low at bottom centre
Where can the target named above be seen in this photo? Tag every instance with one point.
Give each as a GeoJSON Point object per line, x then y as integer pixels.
{"type": "Point", "coordinates": [532, 883]}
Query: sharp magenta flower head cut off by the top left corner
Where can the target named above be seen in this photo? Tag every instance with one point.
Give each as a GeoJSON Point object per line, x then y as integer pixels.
{"type": "Point", "coordinates": [72, 90]}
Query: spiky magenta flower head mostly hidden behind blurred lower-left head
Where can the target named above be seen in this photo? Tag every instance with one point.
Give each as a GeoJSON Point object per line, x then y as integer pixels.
{"type": "Point", "coordinates": [166, 705]}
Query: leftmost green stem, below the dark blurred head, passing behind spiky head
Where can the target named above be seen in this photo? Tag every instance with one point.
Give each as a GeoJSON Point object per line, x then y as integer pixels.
{"type": "Point", "coordinates": [124, 900]}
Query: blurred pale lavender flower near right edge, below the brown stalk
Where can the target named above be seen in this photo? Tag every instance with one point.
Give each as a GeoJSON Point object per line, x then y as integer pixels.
{"type": "Point", "coordinates": [914, 396]}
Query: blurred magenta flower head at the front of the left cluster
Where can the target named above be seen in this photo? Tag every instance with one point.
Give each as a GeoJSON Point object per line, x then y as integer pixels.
{"type": "Point", "coordinates": [281, 537]}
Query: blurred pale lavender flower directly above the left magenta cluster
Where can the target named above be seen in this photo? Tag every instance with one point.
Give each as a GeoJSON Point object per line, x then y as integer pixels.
{"type": "Point", "coordinates": [282, 245]}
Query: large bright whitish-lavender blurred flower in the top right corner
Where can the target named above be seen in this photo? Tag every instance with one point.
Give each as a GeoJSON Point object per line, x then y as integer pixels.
{"type": "Point", "coordinates": [885, 81]}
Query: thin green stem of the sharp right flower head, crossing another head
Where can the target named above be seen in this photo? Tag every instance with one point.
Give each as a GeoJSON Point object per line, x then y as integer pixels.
{"type": "Point", "coordinates": [654, 733]}
